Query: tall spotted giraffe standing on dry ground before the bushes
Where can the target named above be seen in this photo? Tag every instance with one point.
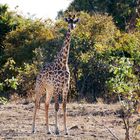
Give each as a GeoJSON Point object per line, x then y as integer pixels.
{"type": "Point", "coordinates": [53, 80]}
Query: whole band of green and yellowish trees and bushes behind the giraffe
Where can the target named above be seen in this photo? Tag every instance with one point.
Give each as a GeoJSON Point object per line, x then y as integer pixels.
{"type": "Point", "coordinates": [104, 56]}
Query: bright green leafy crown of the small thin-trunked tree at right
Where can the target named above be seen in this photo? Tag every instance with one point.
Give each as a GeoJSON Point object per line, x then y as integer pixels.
{"type": "Point", "coordinates": [124, 80]}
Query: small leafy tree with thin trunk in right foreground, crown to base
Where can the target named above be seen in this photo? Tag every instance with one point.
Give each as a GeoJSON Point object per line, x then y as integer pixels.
{"type": "Point", "coordinates": [126, 85]}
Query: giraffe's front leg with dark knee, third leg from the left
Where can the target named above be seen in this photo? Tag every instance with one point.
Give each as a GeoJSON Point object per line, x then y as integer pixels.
{"type": "Point", "coordinates": [56, 115]}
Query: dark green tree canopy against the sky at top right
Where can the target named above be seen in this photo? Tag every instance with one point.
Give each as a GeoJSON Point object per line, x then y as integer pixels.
{"type": "Point", "coordinates": [124, 12]}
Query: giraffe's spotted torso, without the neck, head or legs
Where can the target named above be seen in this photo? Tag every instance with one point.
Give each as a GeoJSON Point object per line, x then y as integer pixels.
{"type": "Point", "coordinates": [50, 78]}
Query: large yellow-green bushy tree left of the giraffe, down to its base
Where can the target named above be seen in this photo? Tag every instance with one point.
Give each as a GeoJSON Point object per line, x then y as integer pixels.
{"type": "Point", "coordinates": [23, 54]}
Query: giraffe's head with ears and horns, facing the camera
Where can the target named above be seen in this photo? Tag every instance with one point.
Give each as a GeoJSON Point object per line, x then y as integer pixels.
{"type": "Point", "coordinates": [71, 21]}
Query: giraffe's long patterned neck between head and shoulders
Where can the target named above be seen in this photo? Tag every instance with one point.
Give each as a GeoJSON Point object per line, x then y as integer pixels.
{"type": "Point", "coordinates": [63, 55]}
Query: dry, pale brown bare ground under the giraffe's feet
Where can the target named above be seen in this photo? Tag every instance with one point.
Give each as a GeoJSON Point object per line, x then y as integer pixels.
{"type": "Point", "coordinates": [84, 121]}
